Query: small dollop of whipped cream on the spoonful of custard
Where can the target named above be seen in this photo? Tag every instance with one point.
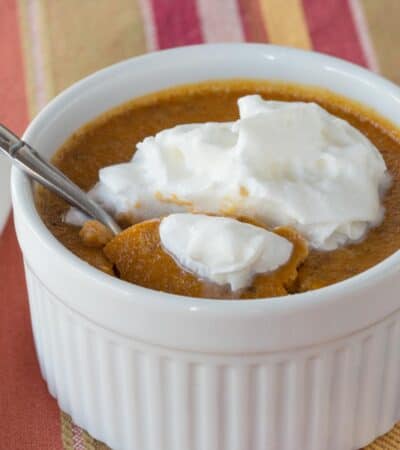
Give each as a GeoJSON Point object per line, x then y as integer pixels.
{"type": "Point", "coordinates": [222, 250]}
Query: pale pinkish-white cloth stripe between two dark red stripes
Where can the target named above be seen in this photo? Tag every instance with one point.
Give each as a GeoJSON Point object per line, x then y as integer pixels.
{"type": "Point", "coordinates": [220, 21]}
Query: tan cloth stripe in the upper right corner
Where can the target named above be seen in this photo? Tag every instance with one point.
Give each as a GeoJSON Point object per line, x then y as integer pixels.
{"type": "Point", "coordinates": [383, 24]}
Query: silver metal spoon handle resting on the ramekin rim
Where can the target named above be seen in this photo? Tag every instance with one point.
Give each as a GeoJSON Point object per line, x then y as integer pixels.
{"type": "Point", "coordinates": [29, 160]}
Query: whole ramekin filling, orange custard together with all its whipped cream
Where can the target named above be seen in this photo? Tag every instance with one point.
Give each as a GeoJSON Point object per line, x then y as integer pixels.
{"type": "Point", "coordinates": [299, 217]}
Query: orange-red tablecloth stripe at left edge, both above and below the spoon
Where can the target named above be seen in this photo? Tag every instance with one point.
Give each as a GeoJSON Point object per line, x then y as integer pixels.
{"type": "Point", "coordinates": [28, 415]}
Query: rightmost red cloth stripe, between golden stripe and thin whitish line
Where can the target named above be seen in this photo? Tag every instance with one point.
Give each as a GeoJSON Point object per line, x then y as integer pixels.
{"type": "Point", "coordinates": [332, 29]}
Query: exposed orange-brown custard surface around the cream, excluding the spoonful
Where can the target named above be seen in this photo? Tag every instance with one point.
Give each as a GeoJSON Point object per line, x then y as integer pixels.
{"type": "Point", "coordinates": [112, 137]}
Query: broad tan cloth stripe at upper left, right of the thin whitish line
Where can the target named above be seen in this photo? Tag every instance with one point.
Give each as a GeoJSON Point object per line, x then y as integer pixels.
{"type": "Point", "coordinates": [88, 35]}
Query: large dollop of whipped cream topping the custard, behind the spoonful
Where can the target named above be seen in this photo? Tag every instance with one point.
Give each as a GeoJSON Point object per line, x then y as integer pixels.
{"type": "Point", "coordinates": [281, 163]}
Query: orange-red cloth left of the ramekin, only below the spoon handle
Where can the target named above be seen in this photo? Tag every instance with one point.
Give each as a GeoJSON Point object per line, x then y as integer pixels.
{"type": "Point", "coordinates": [29, 416]}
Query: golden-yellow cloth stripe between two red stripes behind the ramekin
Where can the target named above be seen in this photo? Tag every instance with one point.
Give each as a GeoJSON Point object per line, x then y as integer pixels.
{"type": "Point", "coordinates": [286, 23]}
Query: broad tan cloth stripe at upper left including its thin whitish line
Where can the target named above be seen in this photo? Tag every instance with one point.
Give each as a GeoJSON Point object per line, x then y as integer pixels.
{"type": "Point", "coordinates": [73, 39]}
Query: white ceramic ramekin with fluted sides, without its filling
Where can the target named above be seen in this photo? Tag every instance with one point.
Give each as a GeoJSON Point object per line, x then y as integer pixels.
{"type": "Point", "coordinates": [144, 370]}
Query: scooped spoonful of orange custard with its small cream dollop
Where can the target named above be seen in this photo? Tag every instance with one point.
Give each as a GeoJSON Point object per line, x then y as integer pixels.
{"type": "Point", "coordinates": [139, 257]}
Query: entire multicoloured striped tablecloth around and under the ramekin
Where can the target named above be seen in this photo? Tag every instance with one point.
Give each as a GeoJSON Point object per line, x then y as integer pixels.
{"type": "Point", "coordinates": [46, 45]}
